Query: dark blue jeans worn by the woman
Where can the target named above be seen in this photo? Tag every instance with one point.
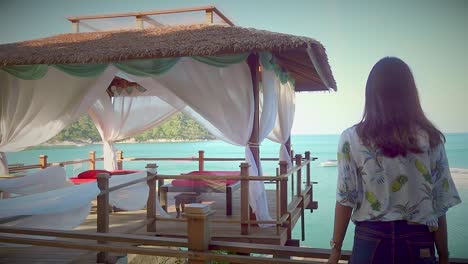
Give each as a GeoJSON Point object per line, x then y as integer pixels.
{"type": "Point", "coordinates": [392, 243]}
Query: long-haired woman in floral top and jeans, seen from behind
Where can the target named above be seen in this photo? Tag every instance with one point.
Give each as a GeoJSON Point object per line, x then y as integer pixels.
{"type": "Point", "coordinates": [393, 176]}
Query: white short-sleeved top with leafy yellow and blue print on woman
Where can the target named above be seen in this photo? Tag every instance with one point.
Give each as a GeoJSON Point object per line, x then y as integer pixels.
{"type": "Point", "coordinates": [417, 188]}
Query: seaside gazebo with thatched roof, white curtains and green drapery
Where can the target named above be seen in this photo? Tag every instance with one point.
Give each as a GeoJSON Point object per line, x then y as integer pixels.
{"type": "Point", "coordinates": [239, 83]}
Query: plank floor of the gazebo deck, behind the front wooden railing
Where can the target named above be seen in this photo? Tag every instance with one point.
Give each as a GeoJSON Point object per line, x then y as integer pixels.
{"type": "Point", "coordinates": [133, 221]}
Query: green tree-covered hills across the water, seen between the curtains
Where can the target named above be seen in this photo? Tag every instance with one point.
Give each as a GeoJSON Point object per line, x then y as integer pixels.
{"type": "Point", "coordinates": [178, 127]}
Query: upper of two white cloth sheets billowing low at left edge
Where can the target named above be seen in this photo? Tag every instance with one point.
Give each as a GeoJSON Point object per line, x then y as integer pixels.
{"type": "Point", "coordinates": [48, 179]}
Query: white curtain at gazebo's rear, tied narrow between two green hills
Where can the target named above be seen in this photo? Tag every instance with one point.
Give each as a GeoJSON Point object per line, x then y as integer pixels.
{"type": "Point", "coordinates": [126, 115]}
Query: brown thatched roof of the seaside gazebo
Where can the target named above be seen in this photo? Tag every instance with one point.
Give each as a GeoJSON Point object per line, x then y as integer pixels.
{"type": "Point", "coordinates": [180, 41]}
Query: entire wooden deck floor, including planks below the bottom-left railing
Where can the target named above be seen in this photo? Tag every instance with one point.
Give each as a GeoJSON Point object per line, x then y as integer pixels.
{"type": "Point", "coordinates": [134, 222]}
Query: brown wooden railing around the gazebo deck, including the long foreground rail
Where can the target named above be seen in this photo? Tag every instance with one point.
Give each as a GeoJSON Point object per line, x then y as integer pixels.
{"type": "Point", "coordinates": [198, 243]}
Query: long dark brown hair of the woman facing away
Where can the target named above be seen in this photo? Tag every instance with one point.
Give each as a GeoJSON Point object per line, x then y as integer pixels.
{"type": "Point", "coordinates": [392, 112]}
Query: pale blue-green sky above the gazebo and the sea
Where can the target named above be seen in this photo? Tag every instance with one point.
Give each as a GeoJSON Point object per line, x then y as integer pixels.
{"type": "Point", "coordinates": [430, 36]}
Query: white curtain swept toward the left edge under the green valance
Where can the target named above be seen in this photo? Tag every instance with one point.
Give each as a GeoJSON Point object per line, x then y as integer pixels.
{"type": "Point", "coordinates": [33, 111]}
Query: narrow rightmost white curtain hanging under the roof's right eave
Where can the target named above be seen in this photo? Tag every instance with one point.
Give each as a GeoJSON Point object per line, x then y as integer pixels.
{"type": "Point", "coordinates": [284, 120]}
